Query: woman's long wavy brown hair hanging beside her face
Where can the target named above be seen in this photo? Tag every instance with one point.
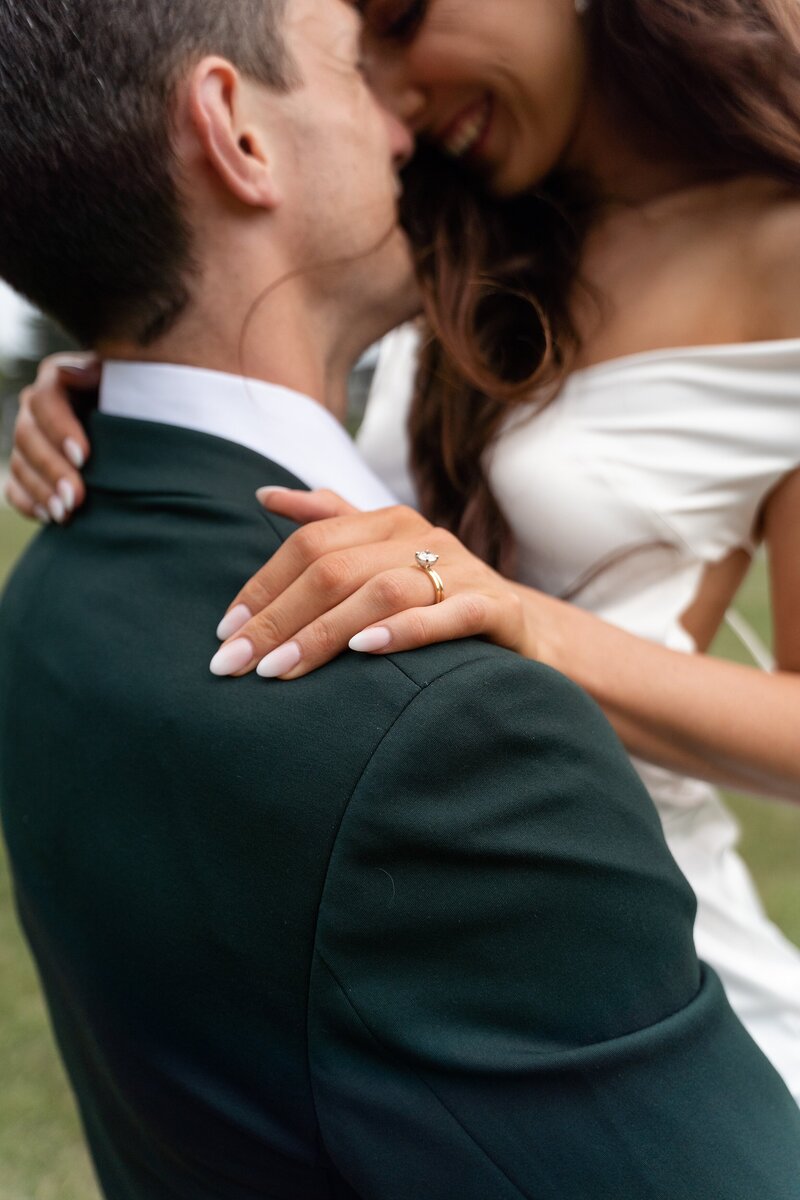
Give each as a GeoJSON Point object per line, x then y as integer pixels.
{"type": "Point", "coordinates": [714, 83]}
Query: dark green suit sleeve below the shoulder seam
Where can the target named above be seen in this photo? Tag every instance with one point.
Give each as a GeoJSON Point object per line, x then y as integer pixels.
{"type": "Point", "coordinates": [506, 999]}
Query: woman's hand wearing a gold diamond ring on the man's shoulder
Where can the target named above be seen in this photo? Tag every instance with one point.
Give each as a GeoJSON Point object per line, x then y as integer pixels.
{"type": "Point", "coordinates": [352, 579]}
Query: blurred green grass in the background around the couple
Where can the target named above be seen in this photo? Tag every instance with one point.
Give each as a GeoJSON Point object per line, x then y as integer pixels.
{"type": "Point", "coordinates": [41, 1149]}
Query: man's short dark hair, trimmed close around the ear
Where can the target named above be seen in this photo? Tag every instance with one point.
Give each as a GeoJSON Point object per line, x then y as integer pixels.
{"type": "Point", "coordinates": [92, 229]}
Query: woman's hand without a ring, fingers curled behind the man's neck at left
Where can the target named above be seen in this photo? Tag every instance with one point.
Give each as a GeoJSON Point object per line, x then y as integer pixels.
{"type": "Point", "coordinates": [51, 446]}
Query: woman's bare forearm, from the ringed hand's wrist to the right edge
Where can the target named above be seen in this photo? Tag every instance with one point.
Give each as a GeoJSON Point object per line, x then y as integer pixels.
{"type": "Point", "coordinates": [732, 725]}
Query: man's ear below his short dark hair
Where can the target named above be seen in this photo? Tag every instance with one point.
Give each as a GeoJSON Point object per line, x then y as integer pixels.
{"type": "Point", "coordinates": [234, 145]}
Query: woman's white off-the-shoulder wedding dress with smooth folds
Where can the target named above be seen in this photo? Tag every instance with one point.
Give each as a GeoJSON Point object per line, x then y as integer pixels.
{"type": "Point", "coordinates": [640, 476]}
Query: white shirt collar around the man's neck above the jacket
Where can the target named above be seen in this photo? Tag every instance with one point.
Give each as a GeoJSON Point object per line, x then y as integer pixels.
{"type": "Point", "coordinates": [282, 425]}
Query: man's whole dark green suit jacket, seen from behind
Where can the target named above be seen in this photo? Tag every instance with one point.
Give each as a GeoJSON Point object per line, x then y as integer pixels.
{"type": "Point", "coordinates": [406, 929]}
